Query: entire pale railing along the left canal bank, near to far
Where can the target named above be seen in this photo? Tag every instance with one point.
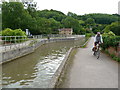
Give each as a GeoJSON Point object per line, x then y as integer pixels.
{"type": "Point", "coordinates": [15, 42]}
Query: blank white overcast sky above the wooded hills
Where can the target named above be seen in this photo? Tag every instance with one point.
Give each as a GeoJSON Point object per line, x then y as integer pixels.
{"type": "Point", "coordinates": [80, 7]}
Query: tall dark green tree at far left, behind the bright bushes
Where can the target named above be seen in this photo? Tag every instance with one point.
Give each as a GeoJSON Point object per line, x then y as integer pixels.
{"type": "Point", "coordinates": [15, 16]}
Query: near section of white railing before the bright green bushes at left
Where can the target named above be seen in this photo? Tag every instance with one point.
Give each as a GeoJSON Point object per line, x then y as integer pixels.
{"type": "Point", "coordinates": [12, 42]}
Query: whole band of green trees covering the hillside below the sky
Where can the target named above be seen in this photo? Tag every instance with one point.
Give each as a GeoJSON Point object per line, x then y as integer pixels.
{"type": "Point", "coordinates": [17, 15]}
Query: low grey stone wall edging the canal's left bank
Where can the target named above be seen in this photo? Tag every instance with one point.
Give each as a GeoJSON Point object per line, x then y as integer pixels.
{"type": "Point", "coordinates": [13, 54]}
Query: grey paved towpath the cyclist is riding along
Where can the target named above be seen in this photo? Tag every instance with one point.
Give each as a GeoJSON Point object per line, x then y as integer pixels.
{"type": "Point", "coordinates": [89, 72]}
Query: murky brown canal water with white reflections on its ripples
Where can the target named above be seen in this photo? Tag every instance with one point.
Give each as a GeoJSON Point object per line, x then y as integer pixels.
{"type": "Point", "coordinates": [36, 70]}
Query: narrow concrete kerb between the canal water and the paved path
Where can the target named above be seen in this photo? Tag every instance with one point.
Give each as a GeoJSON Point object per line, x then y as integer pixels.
{"type": "Point", "coordinates": [61, 67]}
